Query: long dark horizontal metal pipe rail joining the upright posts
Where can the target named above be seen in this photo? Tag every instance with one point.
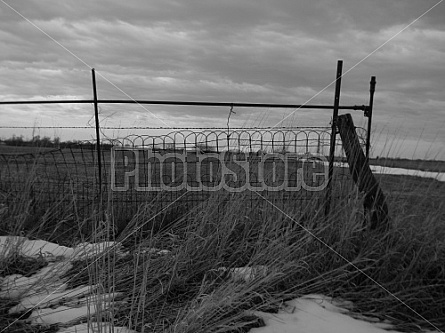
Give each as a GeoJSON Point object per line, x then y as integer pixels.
{"type": "Point", "coordinates": [226, 104]}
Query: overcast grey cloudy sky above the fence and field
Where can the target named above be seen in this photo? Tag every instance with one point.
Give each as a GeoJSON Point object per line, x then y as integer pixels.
{"type": "Point", "coordinates": [280, 51]}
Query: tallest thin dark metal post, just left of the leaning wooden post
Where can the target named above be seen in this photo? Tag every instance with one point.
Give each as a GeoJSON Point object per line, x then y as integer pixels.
{"type": "Point", "coordinates": [333, 135]}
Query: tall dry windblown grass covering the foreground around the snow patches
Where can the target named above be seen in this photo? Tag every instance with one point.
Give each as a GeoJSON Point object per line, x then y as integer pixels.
{"type": "Point", "coordinates": [396, 275]}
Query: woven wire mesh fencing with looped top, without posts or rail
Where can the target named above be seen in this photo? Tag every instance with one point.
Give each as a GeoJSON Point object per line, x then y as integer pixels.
{"type": "Point", "coordinates": [69, 175]}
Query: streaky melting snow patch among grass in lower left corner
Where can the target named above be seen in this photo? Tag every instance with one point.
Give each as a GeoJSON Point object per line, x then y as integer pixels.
{"type": "Point", "coordinates": [45, 292]}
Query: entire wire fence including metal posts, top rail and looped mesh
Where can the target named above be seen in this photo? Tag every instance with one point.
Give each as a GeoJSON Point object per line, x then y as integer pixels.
{"type": "Point", "coordinates": [112, 173]}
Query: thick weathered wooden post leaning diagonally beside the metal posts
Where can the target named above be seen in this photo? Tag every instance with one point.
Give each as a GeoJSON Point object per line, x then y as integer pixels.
{"type": "Point", "coordinates": [376, 209]}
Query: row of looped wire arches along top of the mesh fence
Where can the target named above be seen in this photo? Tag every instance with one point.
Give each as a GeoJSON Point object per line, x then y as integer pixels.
{"type": "Point", "coordinates": [301, 140]}
